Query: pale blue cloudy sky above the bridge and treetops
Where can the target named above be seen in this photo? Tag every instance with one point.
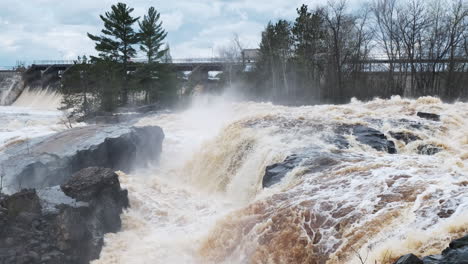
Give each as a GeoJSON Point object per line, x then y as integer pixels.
{"type": "Point", "coordinates": [56, 29]}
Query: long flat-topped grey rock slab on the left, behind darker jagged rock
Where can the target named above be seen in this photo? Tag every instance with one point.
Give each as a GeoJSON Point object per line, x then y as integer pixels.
{"type": "Point", "coordinates": [51, 160]}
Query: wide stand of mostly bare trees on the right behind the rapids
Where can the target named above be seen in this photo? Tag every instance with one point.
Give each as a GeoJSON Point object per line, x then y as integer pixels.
{"type": "Point", "coordinates": [326, 54]}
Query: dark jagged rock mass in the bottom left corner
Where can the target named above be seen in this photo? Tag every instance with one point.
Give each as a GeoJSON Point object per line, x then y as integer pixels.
{"type": "Point", "coordinates": [72, 232]}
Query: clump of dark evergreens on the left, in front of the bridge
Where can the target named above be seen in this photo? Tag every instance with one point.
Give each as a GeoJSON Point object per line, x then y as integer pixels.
{"type": "Point", "coordinates": [113, 79]}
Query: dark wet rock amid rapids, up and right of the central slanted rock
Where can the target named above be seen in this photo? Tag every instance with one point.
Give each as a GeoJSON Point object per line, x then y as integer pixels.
{"type": "Point", "coordinates": [366, 135]}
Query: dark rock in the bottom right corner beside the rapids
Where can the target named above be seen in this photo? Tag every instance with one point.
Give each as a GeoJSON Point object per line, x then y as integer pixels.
{"type": "Point", "coordinates": [456, 253]}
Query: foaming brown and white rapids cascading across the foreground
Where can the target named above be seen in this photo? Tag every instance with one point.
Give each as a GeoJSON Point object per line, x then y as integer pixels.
{"type": "Point", "coordinates": [205, 203]}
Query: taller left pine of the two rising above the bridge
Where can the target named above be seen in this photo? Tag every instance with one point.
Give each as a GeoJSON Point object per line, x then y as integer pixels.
{"type": "Point", "coordinates": [116, 43]}
